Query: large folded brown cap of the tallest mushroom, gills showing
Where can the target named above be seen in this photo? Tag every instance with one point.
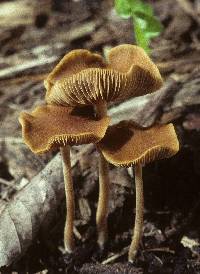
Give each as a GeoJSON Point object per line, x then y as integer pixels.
{"type": "Point", "coordinates": [84, 78]}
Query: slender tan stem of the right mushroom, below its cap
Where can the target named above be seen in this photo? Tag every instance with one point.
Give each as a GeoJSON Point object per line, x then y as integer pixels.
{"type": "Point", "coordinates": [137, 232]}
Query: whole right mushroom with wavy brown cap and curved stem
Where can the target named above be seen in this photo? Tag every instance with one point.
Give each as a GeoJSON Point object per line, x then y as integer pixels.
{"type": "Point", "coordinates": [127, 145]}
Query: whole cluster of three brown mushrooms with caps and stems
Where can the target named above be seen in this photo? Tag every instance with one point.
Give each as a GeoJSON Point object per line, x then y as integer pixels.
{"type": "Point", "coordinates": [75, 113]}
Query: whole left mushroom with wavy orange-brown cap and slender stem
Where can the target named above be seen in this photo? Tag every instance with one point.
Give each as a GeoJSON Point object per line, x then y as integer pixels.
{"type": "Point", "coordinates": [49, 127]}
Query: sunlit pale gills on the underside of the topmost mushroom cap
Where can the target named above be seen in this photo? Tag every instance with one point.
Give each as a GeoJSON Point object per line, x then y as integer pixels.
{"type": "Point", "coordinates": [89, 87]}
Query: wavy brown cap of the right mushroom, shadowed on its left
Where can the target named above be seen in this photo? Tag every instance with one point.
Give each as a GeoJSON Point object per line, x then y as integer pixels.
{"type": "Point", "coordinates": [125, 145]}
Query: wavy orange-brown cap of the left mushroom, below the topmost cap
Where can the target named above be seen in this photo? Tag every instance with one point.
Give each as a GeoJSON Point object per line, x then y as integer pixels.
{"type": "Point", "coordinates": [49, 127]}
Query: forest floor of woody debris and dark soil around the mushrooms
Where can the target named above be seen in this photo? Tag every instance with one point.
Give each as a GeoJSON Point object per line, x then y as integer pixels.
{"type": "Point", "coordinates": [30, 46]}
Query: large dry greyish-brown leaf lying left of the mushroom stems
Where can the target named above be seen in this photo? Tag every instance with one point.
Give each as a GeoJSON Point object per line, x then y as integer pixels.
{"type": "Point", "coordinates": [32, 208]}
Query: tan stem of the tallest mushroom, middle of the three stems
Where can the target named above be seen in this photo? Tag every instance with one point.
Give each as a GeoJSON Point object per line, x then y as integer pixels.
{"type": "Point", "coordinates": [102, 208]}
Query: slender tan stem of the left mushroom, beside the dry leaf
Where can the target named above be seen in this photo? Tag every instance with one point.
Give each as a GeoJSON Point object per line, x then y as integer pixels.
{"type": "Point", "coordinates": [70, 205]}
